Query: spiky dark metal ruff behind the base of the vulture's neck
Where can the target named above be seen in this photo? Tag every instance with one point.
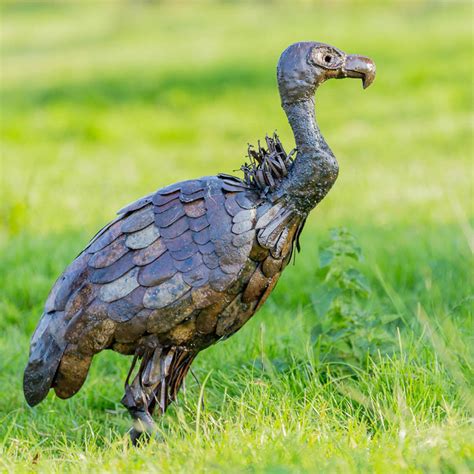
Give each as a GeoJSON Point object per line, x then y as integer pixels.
{"type": "Point", "coordinates": [268, 166]}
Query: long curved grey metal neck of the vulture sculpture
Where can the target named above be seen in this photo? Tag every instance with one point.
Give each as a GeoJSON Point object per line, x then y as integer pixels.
{"type": "Point", "coordinates": [315, 169]}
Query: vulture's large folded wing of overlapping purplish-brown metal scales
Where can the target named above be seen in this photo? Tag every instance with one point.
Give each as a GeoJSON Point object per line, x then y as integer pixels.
{"type": "Point", "coordinates": [164, 257]}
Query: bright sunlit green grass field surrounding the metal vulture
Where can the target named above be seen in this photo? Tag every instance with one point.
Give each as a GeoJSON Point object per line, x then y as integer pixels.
{"type": "Point", "coordinates": [103, 103]}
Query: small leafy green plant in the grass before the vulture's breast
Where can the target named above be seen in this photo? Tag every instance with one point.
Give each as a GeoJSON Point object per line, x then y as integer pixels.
{"type": "Point", "coordinates": [349, 328]}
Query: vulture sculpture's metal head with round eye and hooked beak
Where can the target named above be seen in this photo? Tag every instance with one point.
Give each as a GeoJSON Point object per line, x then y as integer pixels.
{"type": "Point", "coordinates": [303, 66]}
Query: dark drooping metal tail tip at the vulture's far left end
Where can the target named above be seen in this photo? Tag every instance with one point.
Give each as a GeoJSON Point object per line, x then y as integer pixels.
{"type": "Point", "coordinates": [47, 347]}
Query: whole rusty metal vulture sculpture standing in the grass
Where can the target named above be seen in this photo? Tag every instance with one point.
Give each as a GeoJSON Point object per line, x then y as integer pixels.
{"type": "Point", "coordinates": [189, 264]}
